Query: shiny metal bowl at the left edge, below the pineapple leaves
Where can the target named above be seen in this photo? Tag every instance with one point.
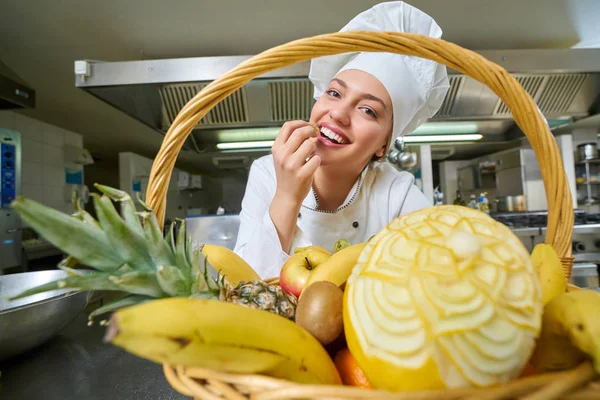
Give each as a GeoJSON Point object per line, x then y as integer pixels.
{"type": "Point", "coordinates": [31, 321]}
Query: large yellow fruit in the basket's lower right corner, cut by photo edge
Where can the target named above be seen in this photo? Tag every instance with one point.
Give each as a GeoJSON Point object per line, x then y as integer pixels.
{"type": "Point", "coordinates": [570, 332]}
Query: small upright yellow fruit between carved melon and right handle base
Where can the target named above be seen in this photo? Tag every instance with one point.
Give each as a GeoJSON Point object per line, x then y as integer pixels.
{"type": "Point", "coordinates": [549, 269]}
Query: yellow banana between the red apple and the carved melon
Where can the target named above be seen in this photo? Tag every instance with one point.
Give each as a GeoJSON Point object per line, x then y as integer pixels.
{"type": "Point", "coordinates": [338, 267]}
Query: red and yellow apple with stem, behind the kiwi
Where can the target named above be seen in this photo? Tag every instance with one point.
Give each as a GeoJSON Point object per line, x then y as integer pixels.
{"type": "Point", "coordinates": [296, 270]}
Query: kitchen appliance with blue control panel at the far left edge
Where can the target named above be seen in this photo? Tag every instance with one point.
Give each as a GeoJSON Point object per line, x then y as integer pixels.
{"type": "Point", "coordinates": [10, 187]}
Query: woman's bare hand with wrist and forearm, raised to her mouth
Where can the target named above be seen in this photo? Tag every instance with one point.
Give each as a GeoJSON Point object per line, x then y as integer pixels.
{"type": "Point", "coordinates": [295, 143]}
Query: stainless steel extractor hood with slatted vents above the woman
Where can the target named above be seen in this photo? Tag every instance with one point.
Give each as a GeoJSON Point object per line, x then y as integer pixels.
{"type": "Point", "coordinates": [565, 83]}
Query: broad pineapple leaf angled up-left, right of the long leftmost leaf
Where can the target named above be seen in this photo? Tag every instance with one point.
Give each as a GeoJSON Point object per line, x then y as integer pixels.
{"type": "Point", "coordinates": [125, 241]}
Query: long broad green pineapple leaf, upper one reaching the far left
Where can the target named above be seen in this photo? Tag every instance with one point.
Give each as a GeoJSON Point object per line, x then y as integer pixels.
{"type": "Point", "coordinates": [84, 241]}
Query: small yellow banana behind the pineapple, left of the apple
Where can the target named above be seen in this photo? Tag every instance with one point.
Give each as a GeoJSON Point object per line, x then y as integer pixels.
{"type": "Point", "coordinates": [228, 263]}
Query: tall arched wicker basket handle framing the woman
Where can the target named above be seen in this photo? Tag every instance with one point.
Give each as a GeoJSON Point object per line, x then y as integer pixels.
{"type": "Point", "coordinates": [523, 108]}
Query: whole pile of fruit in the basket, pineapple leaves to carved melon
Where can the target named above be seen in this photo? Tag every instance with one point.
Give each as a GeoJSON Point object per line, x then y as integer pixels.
{"type": "Point", "coordinates": [444, 297]}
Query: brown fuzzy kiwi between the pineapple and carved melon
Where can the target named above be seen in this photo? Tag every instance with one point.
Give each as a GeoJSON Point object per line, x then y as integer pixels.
{"type": "Point", "coordinates": [319, 311]}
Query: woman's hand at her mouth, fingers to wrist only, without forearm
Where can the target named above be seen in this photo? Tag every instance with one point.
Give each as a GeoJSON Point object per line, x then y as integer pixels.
{"type": "Point", "coordinates": [296, 141]}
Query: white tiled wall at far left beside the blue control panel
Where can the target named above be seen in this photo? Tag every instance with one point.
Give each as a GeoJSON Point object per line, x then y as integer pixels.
{"type": "Point", "coordinates": [43, 166]}
